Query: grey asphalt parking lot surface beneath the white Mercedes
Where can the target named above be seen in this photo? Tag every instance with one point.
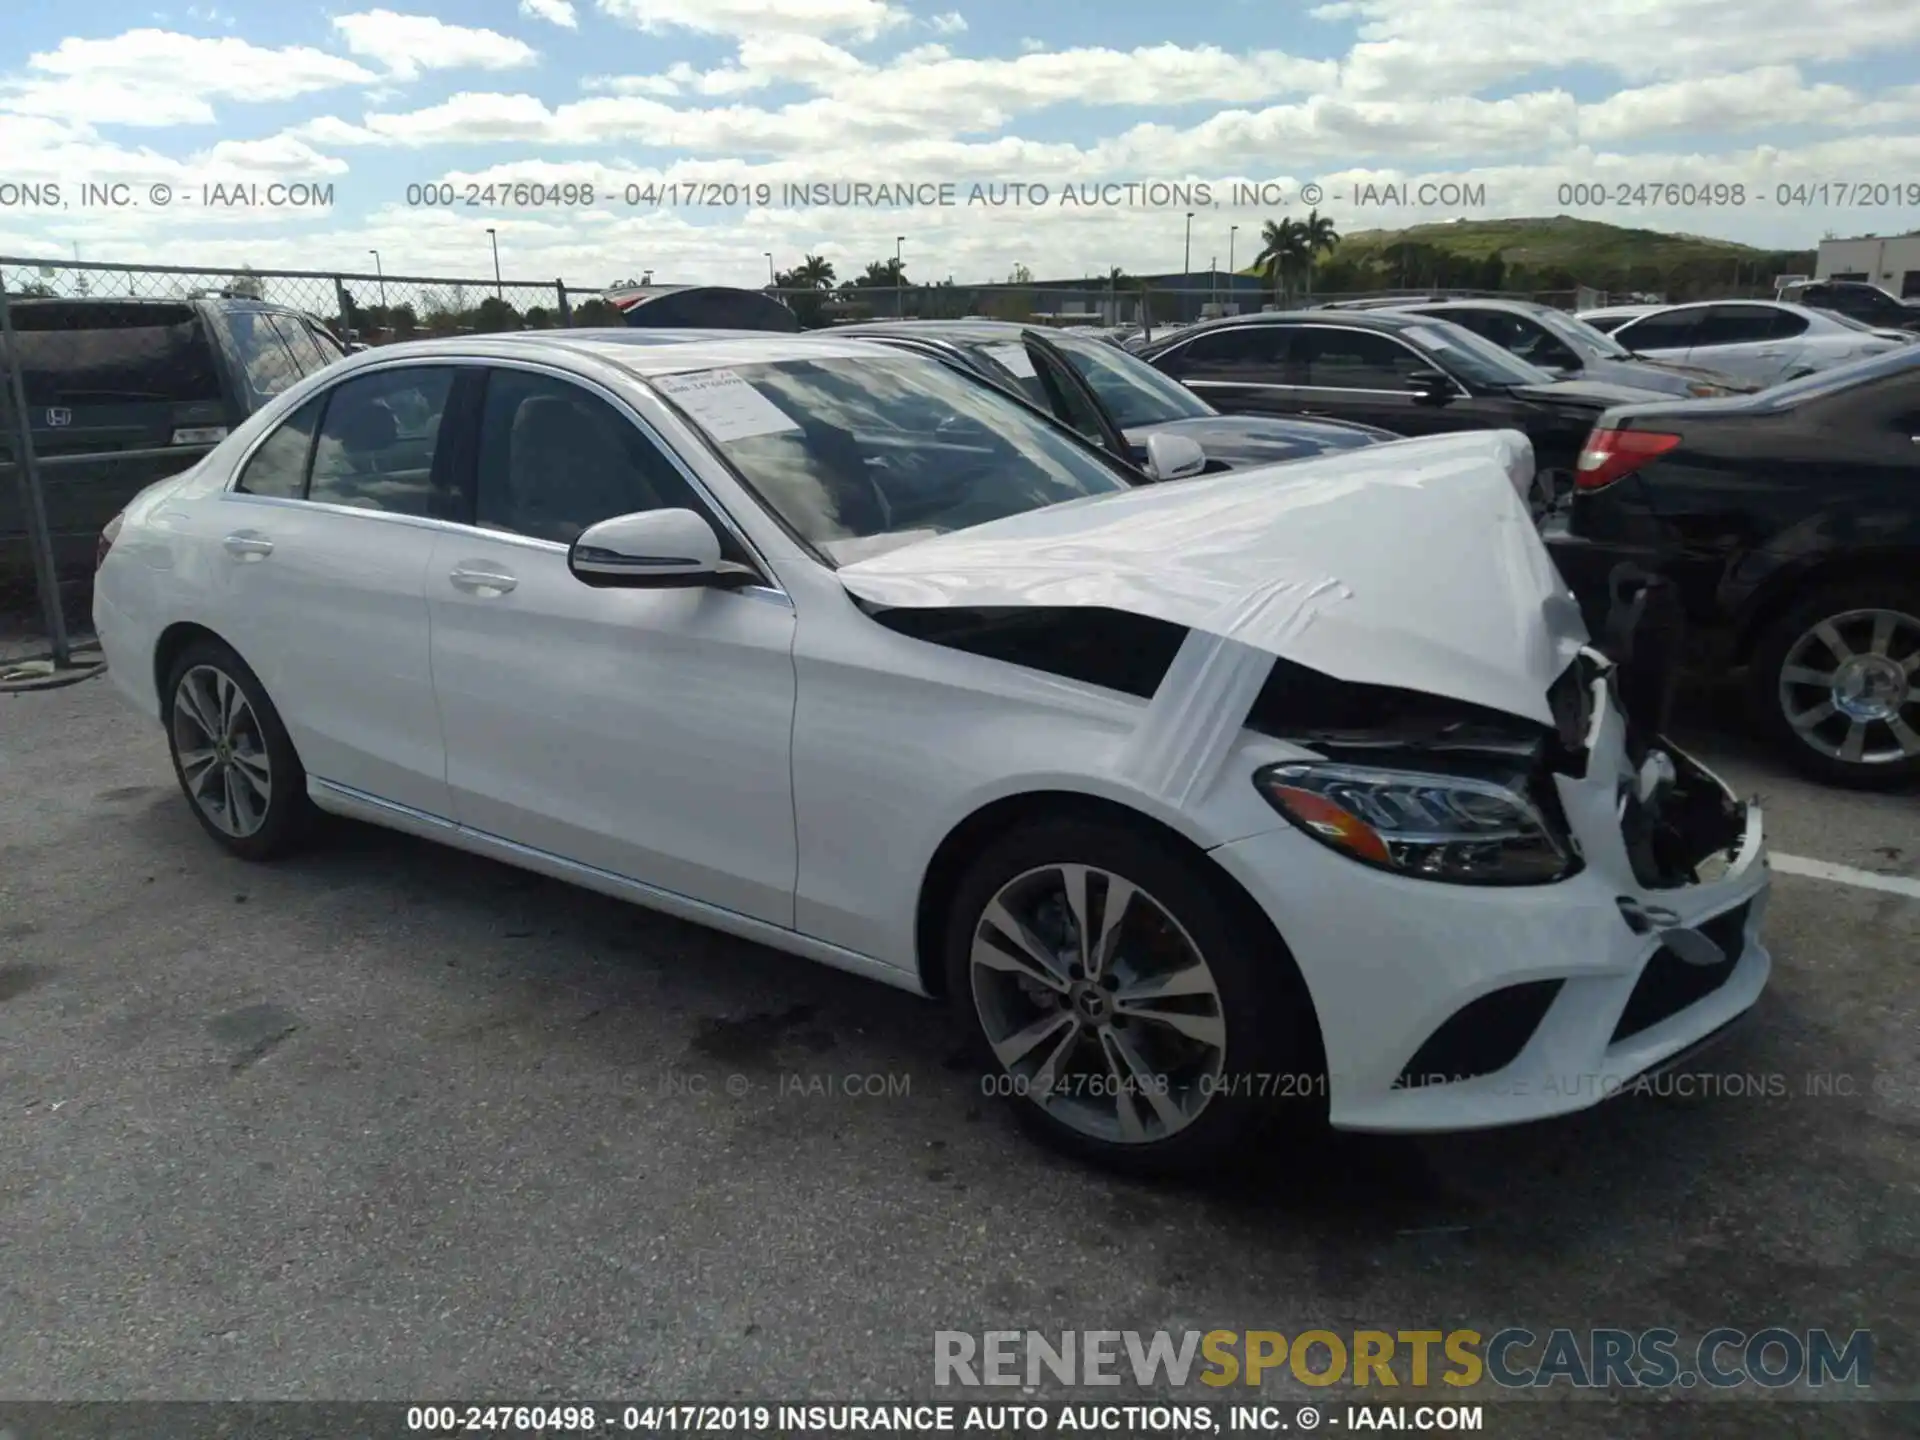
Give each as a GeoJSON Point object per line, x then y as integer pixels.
{"type": "Point", "coordinates": [393, 1122]}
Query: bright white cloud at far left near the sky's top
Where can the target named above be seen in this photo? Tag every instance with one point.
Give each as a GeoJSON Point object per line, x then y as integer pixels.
{"type": "Point", "coordinates": [162, 78]}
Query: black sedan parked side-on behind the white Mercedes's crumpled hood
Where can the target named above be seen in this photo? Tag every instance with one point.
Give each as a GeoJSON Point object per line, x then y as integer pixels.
{"type": "Point", "coordinates": [1404, 373]}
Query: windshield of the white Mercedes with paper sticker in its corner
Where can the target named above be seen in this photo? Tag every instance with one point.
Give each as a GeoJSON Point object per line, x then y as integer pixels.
{"type": "Point", "coordinates": [865, 456]}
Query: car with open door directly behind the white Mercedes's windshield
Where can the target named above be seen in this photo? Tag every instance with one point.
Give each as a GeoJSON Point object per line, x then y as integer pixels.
{"type": "Point", "coordinates": [1113, 398]}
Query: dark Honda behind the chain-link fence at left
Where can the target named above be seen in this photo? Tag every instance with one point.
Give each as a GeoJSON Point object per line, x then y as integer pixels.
{"type": "Point", "coordinates": [126, 393]}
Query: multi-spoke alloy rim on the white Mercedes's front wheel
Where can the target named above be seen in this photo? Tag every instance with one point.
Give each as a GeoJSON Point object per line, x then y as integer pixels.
{"type": "Point", "coordinates": [1099, 1005]}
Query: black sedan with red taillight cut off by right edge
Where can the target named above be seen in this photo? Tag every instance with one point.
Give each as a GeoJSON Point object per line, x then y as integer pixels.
{"type": "Point", "coordinates": [1788, 525]}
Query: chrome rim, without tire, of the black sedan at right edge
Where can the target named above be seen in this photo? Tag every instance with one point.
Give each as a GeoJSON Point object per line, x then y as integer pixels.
{"type": "Point", "coordinates": [1850, 690]}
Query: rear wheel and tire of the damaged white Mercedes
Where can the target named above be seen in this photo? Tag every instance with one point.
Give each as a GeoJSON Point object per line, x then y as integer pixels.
{"type": "Point", "coordinates": [233, 756]}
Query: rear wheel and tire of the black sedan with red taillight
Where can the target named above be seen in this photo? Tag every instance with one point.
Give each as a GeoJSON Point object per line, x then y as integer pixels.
{"type": "Point", "coordinates": [1836, 683]}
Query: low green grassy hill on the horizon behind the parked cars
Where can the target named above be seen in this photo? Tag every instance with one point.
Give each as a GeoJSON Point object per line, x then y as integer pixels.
{"type": "Point", "coordinates": [1556, 252]}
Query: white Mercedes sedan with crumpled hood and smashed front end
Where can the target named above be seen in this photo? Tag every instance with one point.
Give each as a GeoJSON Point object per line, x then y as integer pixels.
{"type": "Point", "coordinates": [1293, 788]}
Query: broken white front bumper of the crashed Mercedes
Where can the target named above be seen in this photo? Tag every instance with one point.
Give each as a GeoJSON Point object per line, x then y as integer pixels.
{"type": "Point", "coordinates": [1391, 961]}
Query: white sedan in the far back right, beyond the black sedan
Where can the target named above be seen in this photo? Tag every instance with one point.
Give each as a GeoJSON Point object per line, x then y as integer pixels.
{"type": "Point", "coordinates": [1762, 341]}
